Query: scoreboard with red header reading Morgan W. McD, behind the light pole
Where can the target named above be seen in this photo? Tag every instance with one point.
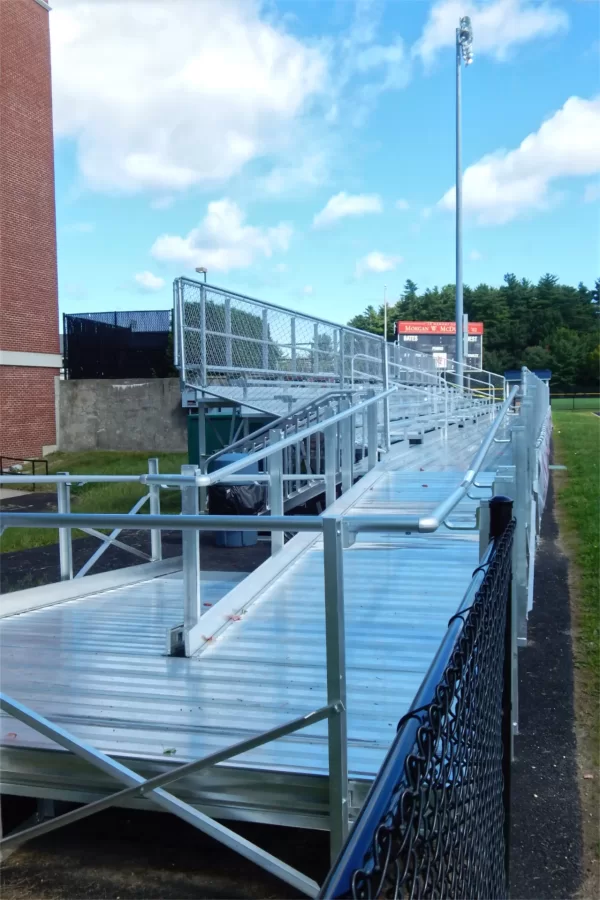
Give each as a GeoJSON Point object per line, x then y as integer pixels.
{"type": "Point", "coordinates": [439, 340]}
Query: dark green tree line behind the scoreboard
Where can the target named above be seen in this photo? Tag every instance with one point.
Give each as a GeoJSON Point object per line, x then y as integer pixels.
{"type": "Point", "coordinates": [542, 326]}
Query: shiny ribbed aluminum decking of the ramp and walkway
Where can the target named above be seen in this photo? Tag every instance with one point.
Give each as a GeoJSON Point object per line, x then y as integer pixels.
{"type": "Point", "coordinates": [95, 665]}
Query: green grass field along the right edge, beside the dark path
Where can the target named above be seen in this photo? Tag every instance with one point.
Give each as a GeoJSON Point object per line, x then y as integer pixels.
{"type": "Point", "coordinates": [577, 443]}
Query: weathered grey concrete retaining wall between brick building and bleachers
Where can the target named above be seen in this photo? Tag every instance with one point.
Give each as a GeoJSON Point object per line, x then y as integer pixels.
{"type": "Point", "coordinates": [125, 414]}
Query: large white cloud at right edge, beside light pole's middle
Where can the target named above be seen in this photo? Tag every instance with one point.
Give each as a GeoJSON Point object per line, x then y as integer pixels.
{"type": "Point", "coordinates": [507, 184]}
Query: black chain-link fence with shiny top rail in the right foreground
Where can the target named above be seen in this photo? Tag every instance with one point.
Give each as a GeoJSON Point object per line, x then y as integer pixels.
{"type": "Point", "coordinates": [435, 823]}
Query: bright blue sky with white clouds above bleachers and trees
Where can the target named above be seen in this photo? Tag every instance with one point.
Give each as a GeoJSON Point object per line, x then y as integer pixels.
{"type": "Point", "coordinates": [304, 151]}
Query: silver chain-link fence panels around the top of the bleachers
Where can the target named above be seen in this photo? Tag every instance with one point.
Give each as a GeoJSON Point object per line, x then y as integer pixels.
{"type": "Point", "coordinates": [270, 358]}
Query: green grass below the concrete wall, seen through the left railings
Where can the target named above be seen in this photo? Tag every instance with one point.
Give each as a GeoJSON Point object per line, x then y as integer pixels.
{"type": "Point", "coordinates": [105, 498]}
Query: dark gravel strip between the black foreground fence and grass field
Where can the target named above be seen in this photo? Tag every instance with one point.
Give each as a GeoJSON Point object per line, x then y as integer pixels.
{"type": "Point", "coordinates": [546, 852]}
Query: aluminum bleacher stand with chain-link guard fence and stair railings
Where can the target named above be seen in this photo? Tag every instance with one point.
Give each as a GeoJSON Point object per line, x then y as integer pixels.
{"type": "Point", "coordinates": [301, 369]}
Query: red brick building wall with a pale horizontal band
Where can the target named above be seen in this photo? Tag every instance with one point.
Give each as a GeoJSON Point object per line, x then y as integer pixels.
{"type": "Point", "coordinates": [29, 337]}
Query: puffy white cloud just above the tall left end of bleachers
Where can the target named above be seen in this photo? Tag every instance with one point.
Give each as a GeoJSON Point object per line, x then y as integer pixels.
{"type": "Point", "coordinates": [222, 241]}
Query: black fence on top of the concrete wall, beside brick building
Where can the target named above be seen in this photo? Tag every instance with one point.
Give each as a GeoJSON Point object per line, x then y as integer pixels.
{"type": "Point", "coordinates": [119, 344]}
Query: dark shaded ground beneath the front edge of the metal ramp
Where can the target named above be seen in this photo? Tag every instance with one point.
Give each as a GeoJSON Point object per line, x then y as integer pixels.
{"type": "Point", "coordinates": [133, 855]}
